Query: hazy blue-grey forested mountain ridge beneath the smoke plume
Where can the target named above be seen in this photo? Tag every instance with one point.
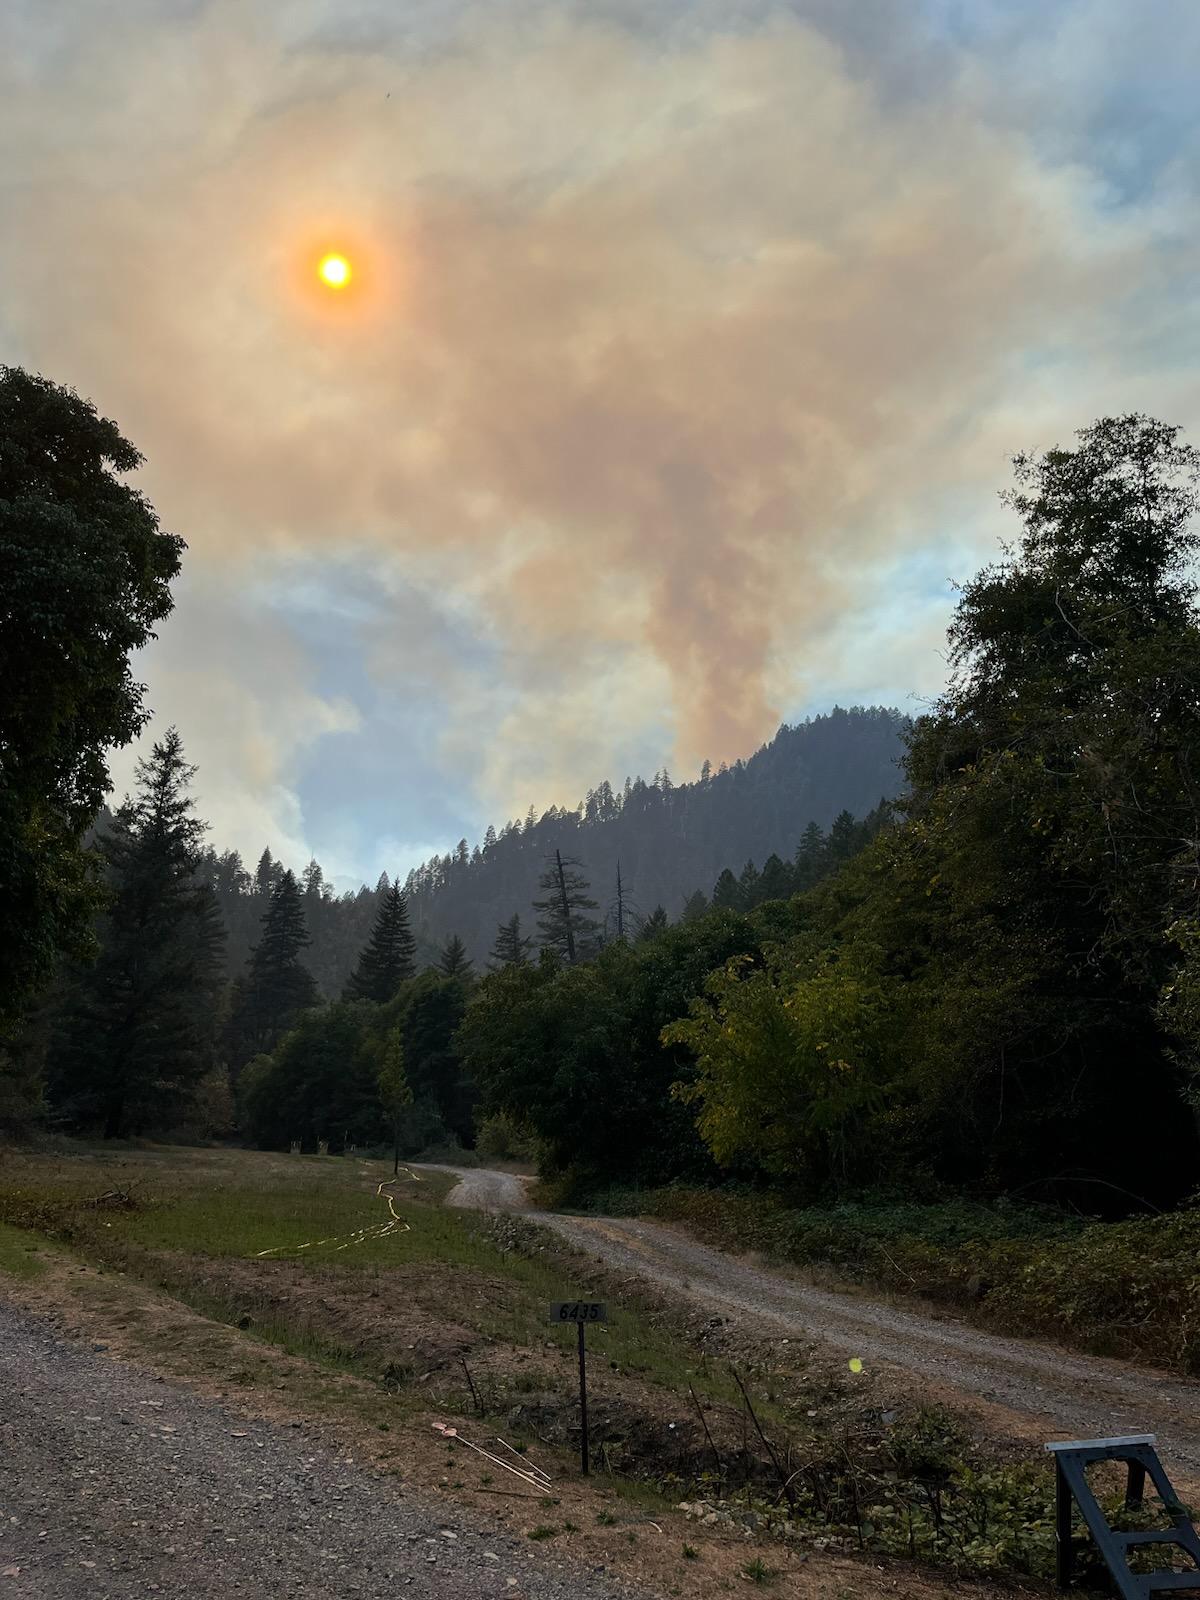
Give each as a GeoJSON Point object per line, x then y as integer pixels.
{"type": "Point", "coordinates": [671, 841]}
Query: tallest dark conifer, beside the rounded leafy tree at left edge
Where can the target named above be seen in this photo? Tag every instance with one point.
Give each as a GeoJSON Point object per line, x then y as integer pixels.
{"type": "Point", "coordinates": [140, 1026]}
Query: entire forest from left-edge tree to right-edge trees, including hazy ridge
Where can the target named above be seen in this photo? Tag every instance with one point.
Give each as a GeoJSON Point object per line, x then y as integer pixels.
{"type": "Point", "coordinates": [990, 985]}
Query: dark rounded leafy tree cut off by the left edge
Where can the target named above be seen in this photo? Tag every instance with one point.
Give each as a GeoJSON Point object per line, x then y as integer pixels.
{"type": "Point", "coordinates": [86, 574]}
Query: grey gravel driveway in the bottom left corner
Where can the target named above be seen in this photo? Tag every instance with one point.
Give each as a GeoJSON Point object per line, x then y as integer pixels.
{"type": "Point", "coordinates": [114, 1484]}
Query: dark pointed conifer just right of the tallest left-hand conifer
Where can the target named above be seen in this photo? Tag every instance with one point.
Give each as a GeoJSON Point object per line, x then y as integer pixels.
{"type": "Point", "coordinates": [276, 990]}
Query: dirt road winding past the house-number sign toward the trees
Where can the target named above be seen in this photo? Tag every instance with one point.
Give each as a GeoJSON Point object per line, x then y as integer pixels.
{"type": "Point", "coordinates": [1058, 1393]}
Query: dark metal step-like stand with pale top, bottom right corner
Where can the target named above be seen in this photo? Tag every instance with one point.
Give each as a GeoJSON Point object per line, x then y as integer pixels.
{"type": "Point", "coordinates": [1073, 1489]}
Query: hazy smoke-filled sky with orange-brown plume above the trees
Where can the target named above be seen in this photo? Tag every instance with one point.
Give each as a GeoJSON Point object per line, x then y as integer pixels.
{"type": "Point", "coordinates": [686, 350]}
